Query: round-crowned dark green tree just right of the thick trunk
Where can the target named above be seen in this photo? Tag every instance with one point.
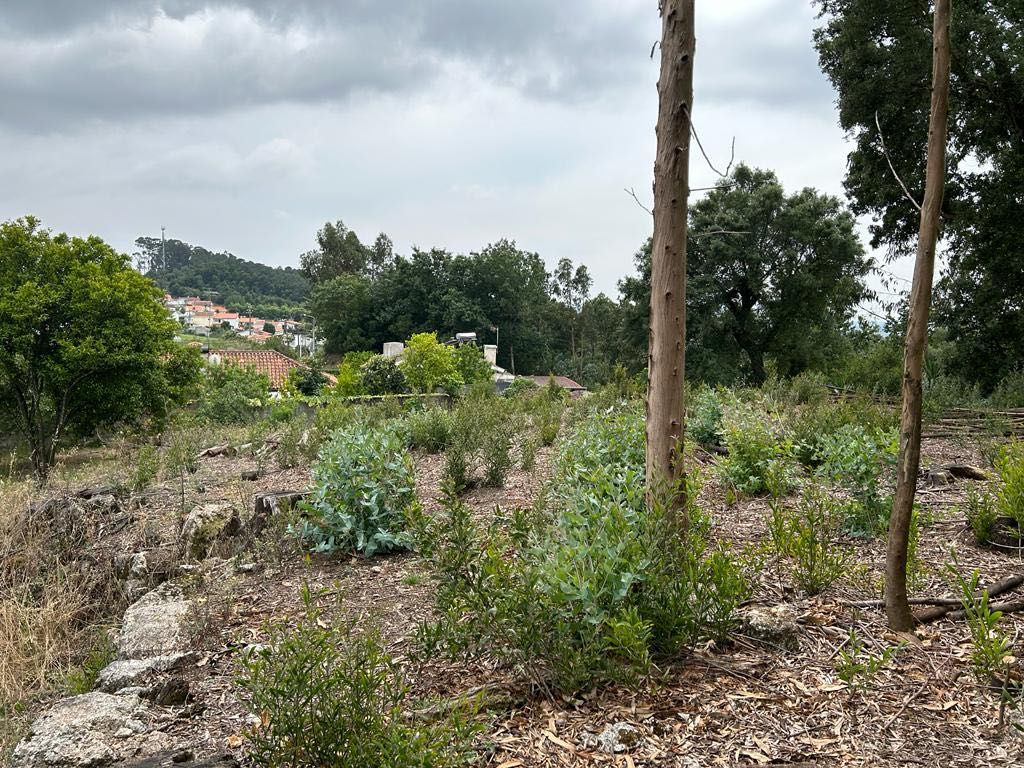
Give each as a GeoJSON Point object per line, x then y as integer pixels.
{"type": "Point", "coordinates": [771, 275]}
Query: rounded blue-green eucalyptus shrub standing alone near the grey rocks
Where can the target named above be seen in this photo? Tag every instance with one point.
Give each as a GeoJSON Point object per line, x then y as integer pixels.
{"type": "Point", "coordinates": [364, 489]}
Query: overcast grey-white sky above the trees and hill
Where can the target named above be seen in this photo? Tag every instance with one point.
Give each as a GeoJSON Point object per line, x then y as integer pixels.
{"type": "Point", "coordinates": [243, 126]}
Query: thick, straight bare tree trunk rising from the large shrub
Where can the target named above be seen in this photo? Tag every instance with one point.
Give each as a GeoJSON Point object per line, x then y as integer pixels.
{"type": "Point", "coordinates": [666, 421]}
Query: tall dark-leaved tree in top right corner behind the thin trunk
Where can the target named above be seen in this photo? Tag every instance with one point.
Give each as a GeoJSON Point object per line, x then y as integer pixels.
{"type": "Point", "coordinates": [878, 56]}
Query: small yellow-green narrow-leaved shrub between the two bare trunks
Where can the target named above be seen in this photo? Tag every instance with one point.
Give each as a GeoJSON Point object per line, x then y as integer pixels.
{"type": "Point", "coordinates": [806, 535]}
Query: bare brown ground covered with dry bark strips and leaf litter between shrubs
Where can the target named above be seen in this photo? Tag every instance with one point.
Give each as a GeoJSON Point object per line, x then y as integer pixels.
{"type": "Point", "coordinates": [740, 705]}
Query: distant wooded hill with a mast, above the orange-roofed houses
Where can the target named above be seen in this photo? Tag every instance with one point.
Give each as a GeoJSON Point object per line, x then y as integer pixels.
{"type": "Point", "coordinates": [241, 286]}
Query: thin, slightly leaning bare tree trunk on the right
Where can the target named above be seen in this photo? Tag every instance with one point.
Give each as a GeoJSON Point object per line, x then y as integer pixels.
{"type": "Point", "coordinates": [898, 608]}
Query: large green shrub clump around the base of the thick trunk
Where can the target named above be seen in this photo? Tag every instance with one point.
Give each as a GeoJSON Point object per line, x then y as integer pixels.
{"type": "Point", "coordinates": [588, 586]}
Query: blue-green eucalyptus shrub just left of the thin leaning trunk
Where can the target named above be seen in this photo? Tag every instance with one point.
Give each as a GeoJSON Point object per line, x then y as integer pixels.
{"type": "Point", "coordinates": [857, 459]}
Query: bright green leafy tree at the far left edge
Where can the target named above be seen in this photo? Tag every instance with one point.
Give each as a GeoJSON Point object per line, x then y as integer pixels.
{"type": "Point", "coordinates": [82, 338]}
